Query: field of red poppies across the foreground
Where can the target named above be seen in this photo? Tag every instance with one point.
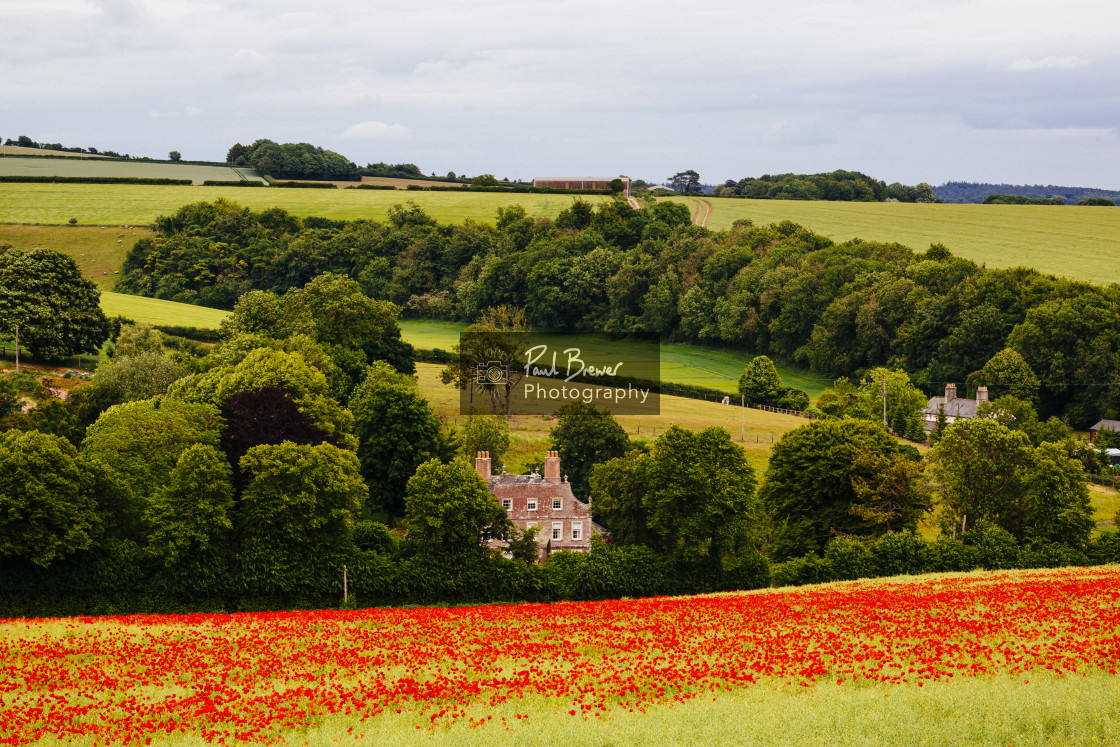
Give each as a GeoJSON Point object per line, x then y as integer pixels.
{"type": "Point", "coordinates": [1014, 657]}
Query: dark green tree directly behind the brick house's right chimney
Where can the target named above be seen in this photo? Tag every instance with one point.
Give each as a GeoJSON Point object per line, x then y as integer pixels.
{"type": "Point", "coordinates": [586, 436]}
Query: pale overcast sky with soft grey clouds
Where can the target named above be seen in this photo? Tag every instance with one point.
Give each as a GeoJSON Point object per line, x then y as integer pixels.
{"type": "Point", "coordinates": [1004, 91]}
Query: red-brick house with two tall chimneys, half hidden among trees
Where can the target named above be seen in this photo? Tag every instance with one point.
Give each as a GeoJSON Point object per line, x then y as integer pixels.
{"type": "Point", "coordinates": [544, 501]}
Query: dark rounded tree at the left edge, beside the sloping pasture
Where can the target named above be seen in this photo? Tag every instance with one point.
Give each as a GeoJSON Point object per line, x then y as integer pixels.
{"type": "Point", "coordinates": [58, 311]}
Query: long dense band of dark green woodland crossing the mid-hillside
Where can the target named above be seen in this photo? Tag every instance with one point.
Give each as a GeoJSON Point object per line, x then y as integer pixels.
{"type": "Point", "coordinates": [841, 310]}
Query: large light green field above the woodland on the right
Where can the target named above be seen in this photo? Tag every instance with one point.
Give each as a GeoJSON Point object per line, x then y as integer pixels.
{"type": "Point", "coordinates": [1082, 244]}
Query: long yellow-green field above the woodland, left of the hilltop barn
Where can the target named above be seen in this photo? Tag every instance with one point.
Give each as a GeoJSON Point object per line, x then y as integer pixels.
{"type": "Point", "coordinates": [130, 204]}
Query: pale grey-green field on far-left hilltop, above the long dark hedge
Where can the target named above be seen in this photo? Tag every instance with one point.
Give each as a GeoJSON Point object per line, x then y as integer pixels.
{"type": "Point", "coordinates": [98, 167]}
